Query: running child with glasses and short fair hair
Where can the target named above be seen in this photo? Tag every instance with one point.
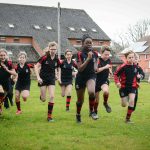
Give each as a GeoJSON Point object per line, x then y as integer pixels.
{"type": "Point", "coordinates": [48, 64]}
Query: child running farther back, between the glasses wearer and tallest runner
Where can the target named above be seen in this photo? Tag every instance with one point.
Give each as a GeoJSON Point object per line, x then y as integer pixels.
{"type": "Point", "coordinates": [65, 80]}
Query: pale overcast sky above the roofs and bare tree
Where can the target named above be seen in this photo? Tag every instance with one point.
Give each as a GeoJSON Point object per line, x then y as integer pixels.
{"type": "Point", "coordinates": [113, 16]}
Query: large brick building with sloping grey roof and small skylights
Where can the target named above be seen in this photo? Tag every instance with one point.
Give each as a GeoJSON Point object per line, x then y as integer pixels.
{"type": "Point", "coordinates": [31, 28]}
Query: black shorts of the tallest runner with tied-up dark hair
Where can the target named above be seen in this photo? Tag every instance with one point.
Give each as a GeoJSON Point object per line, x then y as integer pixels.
{"type": "Point", "coordinates": [81, 81]}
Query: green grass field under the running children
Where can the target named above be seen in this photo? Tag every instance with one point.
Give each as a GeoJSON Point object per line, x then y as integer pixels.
{"type": "Point", "coordinates": [31, 131]}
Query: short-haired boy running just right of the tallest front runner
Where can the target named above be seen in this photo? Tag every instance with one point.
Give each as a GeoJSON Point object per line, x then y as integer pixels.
{"type": "Point", "coordinates": [102, 81]}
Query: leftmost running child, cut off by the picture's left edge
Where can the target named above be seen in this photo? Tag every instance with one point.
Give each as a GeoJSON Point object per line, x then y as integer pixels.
{"type": "Point", "coordinates": [6, 70]}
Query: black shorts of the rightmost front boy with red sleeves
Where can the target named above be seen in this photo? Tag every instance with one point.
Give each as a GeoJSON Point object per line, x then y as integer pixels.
{"type": "Point", "coordinates": [126, 91]}
